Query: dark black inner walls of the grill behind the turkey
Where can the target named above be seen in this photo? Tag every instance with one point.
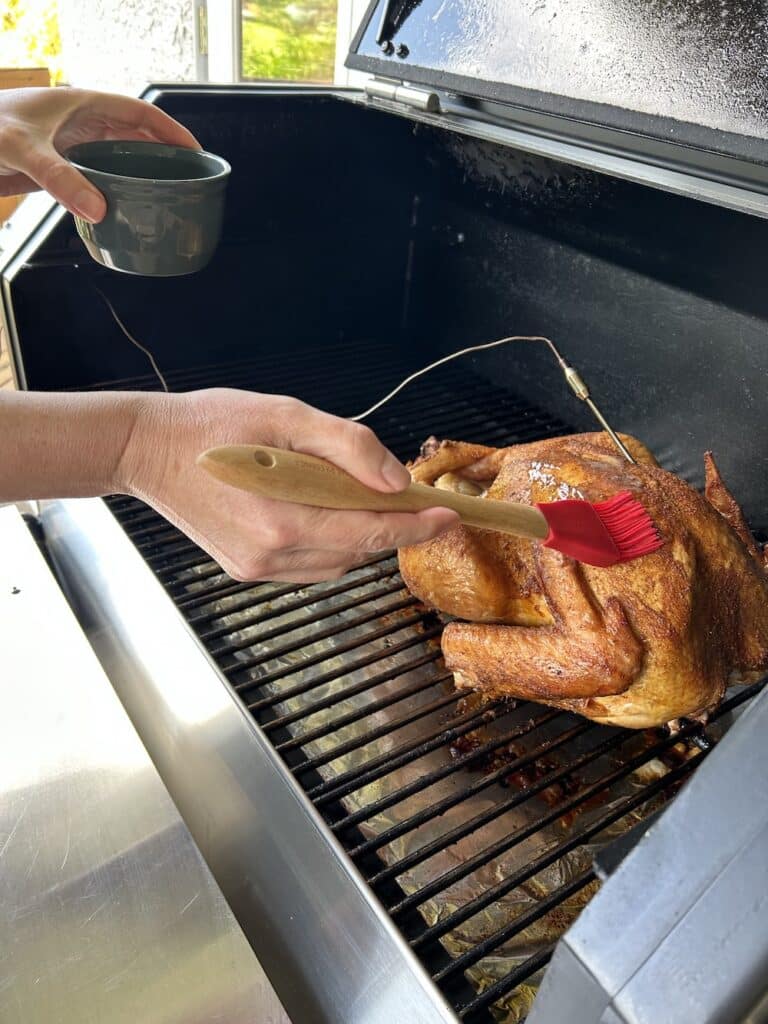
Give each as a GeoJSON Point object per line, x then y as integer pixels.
{"type": "Point", "coordinates": [349, 224]}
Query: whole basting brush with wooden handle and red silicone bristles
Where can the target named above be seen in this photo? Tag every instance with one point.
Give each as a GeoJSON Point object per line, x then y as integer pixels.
{"type": "Point", "coordinates": [604, 534]}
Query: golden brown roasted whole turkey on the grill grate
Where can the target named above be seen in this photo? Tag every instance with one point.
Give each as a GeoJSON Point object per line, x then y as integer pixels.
{"type": "Point", "coordinates": [636, 645]}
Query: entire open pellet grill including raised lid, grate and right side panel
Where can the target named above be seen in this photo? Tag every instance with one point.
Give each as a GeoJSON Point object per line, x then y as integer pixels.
{"type": "Point", "coordinates": [393, 851]}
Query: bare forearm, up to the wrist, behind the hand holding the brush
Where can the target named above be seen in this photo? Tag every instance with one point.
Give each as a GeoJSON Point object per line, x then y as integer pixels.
{"type": "Point", "coordinates": [65, 446]}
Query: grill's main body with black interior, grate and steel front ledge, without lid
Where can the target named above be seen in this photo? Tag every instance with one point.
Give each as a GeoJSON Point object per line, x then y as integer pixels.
{"type": "Point", "coordinates": [394, 854]}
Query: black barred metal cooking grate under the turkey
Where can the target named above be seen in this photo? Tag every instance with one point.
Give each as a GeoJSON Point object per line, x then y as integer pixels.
{"type": "Point", "coordinates": [475, 824]}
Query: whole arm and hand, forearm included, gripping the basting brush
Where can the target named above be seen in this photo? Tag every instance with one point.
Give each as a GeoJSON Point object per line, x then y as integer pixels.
{"type": "Point", "coordinates": [62, 446]}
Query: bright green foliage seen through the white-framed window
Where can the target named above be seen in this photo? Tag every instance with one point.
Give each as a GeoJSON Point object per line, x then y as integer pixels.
{"type": "Point", "coordinates": [294, 40]}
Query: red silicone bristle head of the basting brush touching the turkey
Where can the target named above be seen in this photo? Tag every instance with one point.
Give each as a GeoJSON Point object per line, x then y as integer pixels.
{"type": "Point", "coordinates": [611, 532]}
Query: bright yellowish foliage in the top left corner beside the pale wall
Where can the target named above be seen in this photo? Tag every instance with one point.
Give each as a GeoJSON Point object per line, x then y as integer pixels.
{"type": "Point", "coordinates": [29, 36]}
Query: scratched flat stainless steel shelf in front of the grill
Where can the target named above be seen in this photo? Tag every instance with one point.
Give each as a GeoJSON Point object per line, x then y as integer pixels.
{"type": "Point", "coordinates": [108, 912]}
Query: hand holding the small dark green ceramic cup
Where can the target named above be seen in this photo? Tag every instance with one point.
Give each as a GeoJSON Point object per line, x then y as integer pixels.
{"type": "Point", "coordinates": [37, 125]}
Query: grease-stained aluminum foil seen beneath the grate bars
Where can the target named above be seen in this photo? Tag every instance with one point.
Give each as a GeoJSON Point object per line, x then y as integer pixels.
{"type": "Point", "coordinates": [319, 615]}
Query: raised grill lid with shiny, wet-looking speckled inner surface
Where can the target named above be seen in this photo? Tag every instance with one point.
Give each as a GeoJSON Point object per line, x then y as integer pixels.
{"type": "Point", "coordinates": [687, 75]}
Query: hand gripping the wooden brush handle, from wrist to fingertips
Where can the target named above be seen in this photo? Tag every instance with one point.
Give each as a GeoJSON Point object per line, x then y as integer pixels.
{"type": "Point", "coordinates": [257, 538]}
